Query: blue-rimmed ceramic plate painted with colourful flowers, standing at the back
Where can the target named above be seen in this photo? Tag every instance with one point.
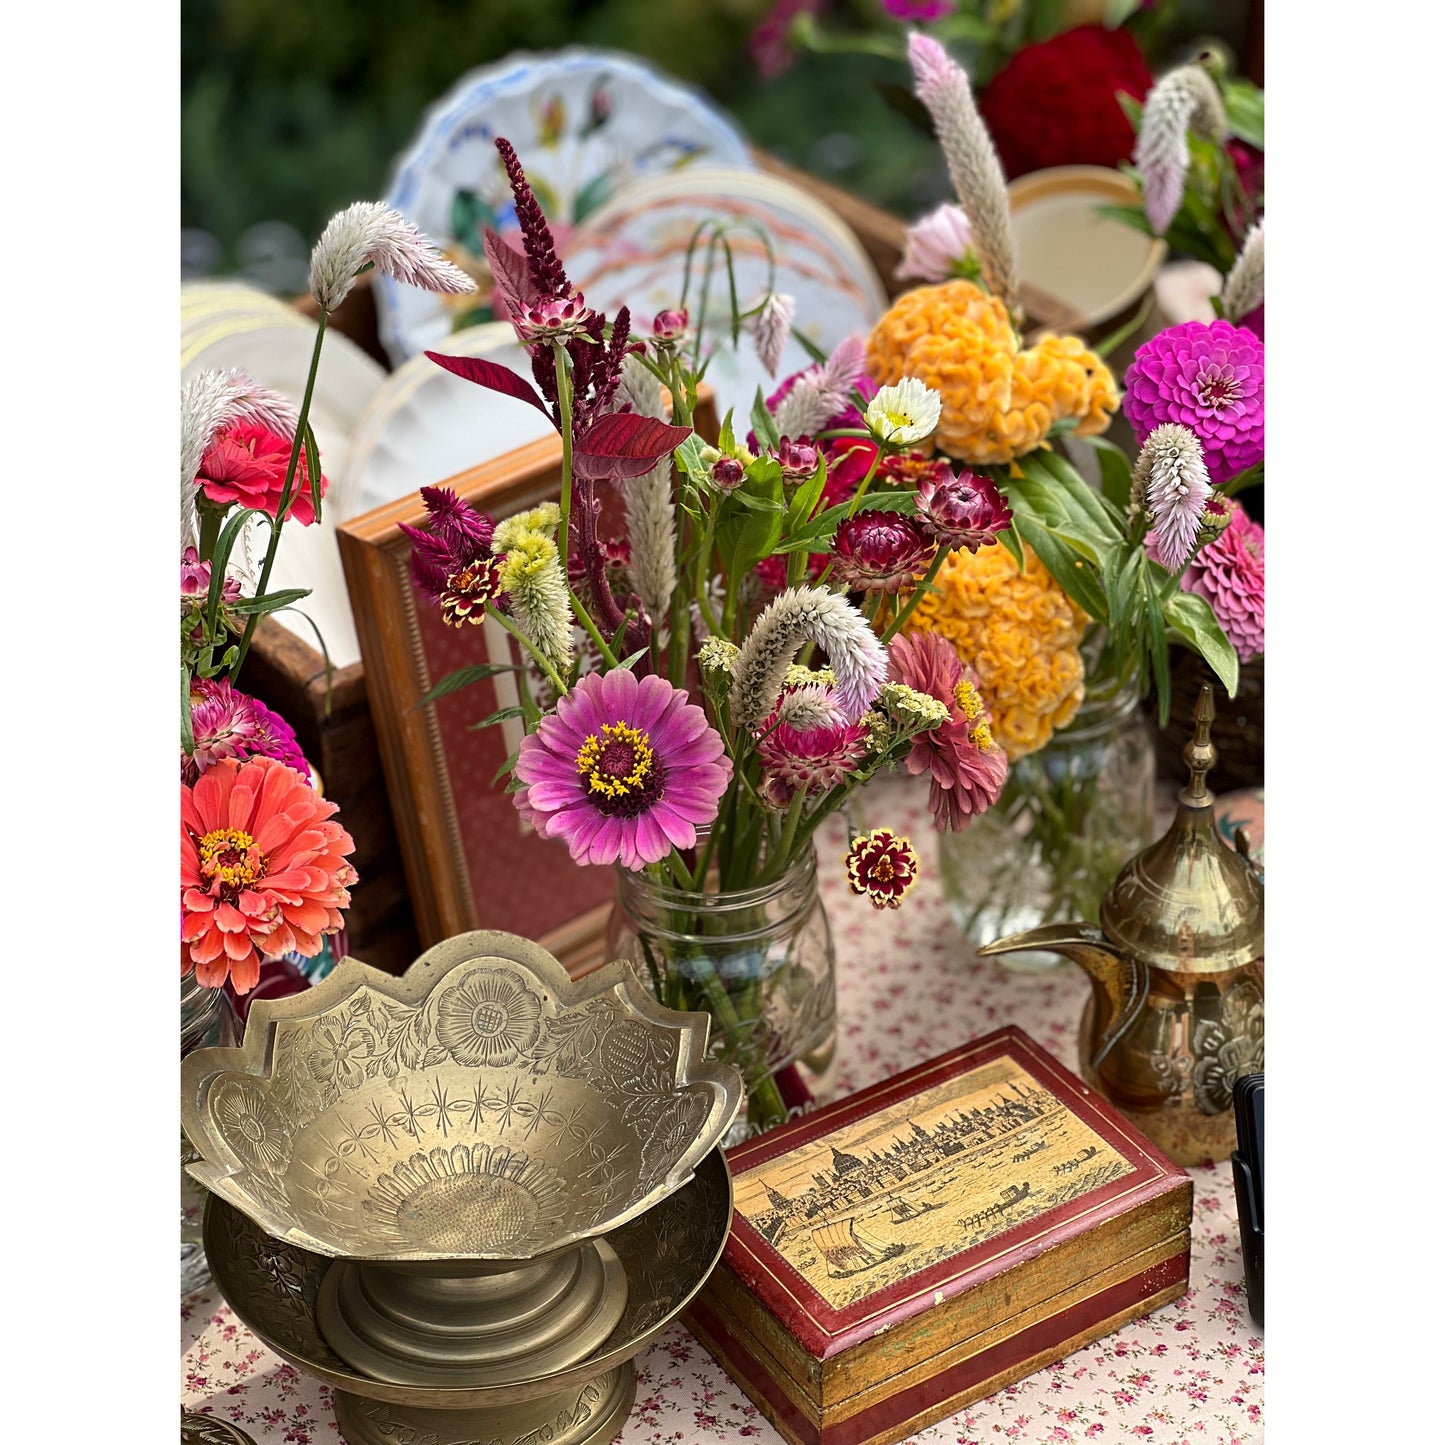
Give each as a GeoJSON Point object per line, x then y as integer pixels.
{"type": "Point", "coordinates": [585, 124]}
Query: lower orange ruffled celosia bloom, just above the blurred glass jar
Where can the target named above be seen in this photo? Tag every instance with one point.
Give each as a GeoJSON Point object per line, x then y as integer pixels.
{"type": "Point", "coordinates": [1019, 632]}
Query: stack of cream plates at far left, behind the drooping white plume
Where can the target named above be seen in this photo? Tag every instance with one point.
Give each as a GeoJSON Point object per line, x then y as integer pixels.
{"type": "Point", "coordinates": [223, 326]}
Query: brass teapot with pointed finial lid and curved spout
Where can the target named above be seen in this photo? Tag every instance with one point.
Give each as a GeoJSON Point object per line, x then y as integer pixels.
{"type": "Point", "coordinates": [1178, 970]}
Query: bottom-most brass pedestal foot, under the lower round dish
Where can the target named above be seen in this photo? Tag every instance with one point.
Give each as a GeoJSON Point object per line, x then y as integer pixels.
{"type": "Point", "coordinates": [592, 1414]}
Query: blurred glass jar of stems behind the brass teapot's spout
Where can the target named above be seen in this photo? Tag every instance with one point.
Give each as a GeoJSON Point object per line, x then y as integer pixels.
{"type": "Point", "coordinates": [1070, 817]}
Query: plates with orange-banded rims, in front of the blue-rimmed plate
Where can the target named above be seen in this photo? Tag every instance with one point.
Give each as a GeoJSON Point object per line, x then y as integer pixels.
{"type": "Point", "coordinates": [634, 252]}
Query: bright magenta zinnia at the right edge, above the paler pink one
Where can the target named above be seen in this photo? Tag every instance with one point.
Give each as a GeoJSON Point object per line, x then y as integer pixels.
{"type": "Point", "coordinates": [1210, 379]}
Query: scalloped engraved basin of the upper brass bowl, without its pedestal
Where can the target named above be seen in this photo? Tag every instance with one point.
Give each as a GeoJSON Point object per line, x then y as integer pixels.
{"type": "Point", "coordinates": [480, 1108]}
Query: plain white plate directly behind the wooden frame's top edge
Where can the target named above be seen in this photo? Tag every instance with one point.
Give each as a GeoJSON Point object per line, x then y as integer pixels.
{"type": "Point", "coordinates": [426, 426]}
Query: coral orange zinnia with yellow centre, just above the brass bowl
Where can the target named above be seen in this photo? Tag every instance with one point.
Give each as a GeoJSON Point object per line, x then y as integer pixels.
{"type": "Point", "coordinates": [264, 871]}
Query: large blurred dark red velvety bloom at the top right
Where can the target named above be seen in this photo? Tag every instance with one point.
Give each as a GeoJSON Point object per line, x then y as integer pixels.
{"type": "Point", "coordinates": [1054, 103]}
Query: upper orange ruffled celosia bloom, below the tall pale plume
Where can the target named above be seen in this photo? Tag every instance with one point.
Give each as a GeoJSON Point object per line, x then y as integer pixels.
{"type": "Point", "coordinates": [999, 401]}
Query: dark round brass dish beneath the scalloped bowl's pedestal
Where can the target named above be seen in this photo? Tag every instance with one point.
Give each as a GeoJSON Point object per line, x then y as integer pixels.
{"type": "Point", "coordinates": [667, 1254]}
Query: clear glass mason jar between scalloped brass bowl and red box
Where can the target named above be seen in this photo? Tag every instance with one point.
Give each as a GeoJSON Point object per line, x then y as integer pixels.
{"type": "Point", "coordinates": [761, 963]}
